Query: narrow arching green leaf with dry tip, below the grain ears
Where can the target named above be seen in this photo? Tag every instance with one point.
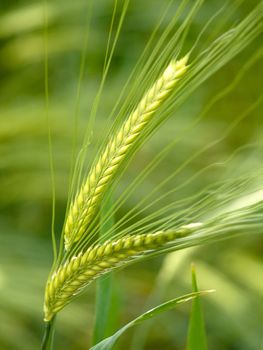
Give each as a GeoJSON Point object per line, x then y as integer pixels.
{"type": "Point", "coordinates": [109, 342]}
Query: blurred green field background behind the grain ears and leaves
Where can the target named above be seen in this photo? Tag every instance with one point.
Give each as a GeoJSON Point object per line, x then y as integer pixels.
{"type": "Point", "coordinates": [234, 314]}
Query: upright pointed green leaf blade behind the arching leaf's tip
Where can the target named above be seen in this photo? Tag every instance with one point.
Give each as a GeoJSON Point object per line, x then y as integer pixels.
{"type": "Point", "coordinates": [196, 332]}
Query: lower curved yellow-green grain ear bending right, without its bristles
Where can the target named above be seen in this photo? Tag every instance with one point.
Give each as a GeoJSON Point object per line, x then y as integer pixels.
{"type": "Point", "coordinates": [79, 271]}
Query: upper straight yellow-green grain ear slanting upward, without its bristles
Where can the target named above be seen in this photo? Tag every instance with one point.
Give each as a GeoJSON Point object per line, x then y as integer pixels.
{"type": "Point", "coordinates": [89, 198]}
